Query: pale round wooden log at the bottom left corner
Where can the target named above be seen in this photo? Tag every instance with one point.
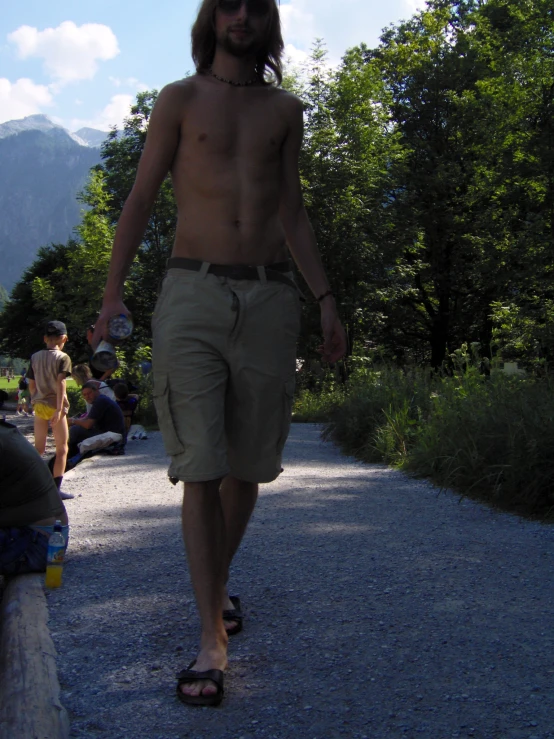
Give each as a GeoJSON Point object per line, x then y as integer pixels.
{"type": "Point", "coordinates": [30, 705]}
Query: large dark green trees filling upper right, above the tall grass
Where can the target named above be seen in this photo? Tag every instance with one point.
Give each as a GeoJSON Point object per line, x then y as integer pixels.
{"type": "Point", "coordinates": [470, 95]}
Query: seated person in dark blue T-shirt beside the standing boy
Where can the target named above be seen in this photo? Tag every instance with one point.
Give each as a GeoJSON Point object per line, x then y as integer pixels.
{"type": "Point", "coordinates": [104, 415]}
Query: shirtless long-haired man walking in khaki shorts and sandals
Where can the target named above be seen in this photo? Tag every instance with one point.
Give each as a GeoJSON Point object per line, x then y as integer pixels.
{"type": "Point", "coordinates": [228, 316]}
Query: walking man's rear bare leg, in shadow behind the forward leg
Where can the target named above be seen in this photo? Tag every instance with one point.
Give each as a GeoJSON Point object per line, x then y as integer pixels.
{"type": "Point", "coordinates": [238, 499]}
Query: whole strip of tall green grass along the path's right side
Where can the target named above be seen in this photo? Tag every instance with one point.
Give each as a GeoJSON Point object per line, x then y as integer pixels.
{"type": "Point", "coordinates": [490, 438]}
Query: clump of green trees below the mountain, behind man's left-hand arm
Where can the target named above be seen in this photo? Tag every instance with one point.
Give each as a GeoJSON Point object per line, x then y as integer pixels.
{"type": "Point", "coordinates": [67, 281]}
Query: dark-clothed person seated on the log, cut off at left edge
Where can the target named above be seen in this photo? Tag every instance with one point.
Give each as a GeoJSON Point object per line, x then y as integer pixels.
{"type": "Point", "coordinates": [29, 505]}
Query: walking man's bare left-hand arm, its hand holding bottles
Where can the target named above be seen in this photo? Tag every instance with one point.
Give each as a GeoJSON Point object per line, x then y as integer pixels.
{"type": "Point", "coordinates": [157, 157]}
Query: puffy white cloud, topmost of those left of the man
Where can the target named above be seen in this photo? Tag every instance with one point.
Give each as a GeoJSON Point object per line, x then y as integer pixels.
{"type": "Point", "coordinates": [69, 52]}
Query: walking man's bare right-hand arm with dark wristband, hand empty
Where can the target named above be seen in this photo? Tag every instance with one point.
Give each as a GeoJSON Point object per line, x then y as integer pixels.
{"type": "Point", "coordinates": [301, 238]}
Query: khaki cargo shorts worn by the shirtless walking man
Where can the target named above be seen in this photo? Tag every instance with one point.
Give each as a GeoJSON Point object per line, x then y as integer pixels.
{"type": "Point", "coordinates": [224, 361]}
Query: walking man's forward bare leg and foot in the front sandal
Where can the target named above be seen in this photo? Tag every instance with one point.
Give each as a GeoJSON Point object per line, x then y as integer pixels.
{"type": "Point", "coordinates": [206, 546]}
